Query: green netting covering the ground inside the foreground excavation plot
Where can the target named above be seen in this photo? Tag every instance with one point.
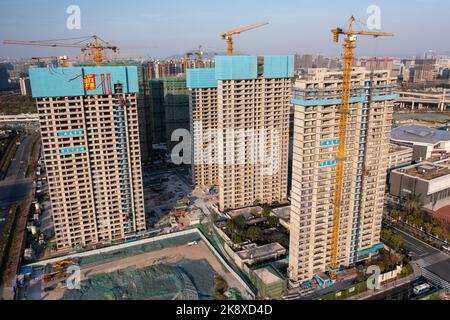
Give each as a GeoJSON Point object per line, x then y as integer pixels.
{"type": "Point", "coordinates": [187, 280]}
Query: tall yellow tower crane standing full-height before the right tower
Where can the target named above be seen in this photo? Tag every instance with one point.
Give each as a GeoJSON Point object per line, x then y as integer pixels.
{"type": "Point", "coordinates": [348, 55]}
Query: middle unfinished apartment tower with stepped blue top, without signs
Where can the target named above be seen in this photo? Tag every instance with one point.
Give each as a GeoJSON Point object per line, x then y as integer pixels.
{"type": "Point", "coordinates": [240, 127]}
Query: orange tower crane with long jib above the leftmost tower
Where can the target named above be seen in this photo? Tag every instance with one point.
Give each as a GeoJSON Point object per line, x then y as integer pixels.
{"type": "Point", "coordinates": [92, 47]}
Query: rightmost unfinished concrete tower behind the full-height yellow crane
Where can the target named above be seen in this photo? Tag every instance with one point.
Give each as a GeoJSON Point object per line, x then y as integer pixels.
{"type": "Point", "coordinates": [316, 99]}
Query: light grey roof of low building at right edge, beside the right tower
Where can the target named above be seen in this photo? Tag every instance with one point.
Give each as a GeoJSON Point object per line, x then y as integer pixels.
{"type": "Point", "coordinates": [419, 134]}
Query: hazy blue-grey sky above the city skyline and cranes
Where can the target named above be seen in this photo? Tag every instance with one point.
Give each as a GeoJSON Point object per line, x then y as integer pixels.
{"type": "Point", "coordinates": [175, 26]}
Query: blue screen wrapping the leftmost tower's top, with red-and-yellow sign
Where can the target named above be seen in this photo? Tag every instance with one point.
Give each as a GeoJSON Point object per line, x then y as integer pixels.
{"type": "Point", "coordinates": [80, 81]}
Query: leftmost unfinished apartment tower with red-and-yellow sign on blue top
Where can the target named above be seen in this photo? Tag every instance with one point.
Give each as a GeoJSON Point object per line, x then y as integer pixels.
{"type": "Point", "coordinates": [90, 137]}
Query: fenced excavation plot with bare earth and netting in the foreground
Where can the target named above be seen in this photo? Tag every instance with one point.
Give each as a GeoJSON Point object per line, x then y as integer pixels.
{"type": "Point", "coordinates": [178, 266]}
